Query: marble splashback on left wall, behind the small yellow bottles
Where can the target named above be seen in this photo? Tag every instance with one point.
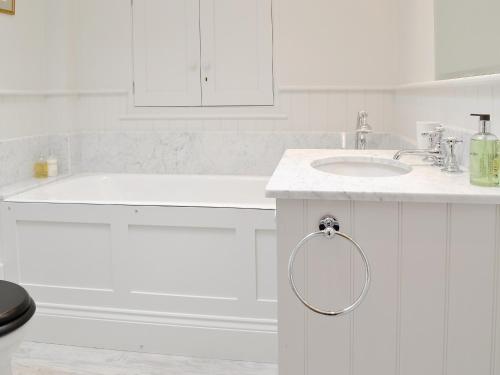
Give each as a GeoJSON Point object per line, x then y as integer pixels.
{"type": "Point", "coordinates": [18, 155]}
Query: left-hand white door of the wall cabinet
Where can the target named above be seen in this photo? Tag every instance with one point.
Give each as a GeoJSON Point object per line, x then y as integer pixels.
{"type": "Point", "coordinates": [166, 53]}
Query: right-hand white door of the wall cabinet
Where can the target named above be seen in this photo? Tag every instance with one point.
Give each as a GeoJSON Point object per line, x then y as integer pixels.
{"type": "Point", "coordinates": [236, 45]}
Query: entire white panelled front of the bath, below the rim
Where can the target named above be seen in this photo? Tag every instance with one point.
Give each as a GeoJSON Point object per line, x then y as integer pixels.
{"type": "Point", "coordinates": [220, 306]}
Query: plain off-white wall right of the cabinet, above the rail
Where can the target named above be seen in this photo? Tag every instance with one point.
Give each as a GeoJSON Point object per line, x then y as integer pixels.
{"type": "Point", "coordinates": [336, 42]}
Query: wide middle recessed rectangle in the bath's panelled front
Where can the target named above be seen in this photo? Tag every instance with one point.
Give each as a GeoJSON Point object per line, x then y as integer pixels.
{"type": "Point", "coordinates": [184, 262]}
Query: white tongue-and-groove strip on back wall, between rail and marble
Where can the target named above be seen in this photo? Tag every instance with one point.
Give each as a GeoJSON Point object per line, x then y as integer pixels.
{"type": "Point", "coordinates": [300, 109]}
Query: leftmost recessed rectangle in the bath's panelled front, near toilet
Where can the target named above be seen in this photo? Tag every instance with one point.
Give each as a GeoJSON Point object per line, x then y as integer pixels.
{"type": "Point", "coordinates": [69, 255]}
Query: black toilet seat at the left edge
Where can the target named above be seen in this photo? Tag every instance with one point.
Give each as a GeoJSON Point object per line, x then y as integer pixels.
{"type": "Point", "coordinates": [16, 307]}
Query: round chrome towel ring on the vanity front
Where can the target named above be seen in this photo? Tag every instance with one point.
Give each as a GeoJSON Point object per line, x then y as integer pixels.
{"type": "Point", "coordinates": [329, 227]}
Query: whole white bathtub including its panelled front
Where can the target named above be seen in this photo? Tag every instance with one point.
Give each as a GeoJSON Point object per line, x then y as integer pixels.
{"type": "Point", "coordinates": [164, 264]}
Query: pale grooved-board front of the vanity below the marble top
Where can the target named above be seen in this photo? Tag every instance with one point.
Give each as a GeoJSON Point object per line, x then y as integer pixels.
{"type": "Point", "coordinates": [432, 305]}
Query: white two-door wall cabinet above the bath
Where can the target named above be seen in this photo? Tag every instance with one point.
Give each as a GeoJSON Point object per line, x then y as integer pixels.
{"type": "Point", "coordinates": [202, 52]}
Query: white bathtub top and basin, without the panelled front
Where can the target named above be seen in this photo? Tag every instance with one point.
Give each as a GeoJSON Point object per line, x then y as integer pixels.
{"type": "Point", "coordinates": [154, 190]}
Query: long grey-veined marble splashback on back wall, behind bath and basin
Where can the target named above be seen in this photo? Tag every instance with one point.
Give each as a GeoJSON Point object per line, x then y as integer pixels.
{"type": "Point", "coordinates": [224, 152]}
